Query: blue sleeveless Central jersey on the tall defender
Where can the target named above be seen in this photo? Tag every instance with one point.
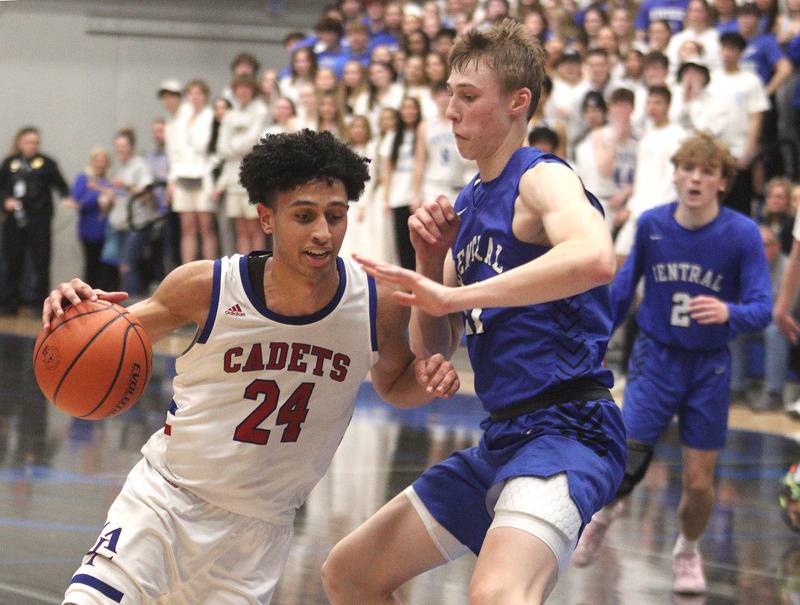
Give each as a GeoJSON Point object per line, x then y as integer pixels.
{"type": "Point", "coordinates": [518, 352]}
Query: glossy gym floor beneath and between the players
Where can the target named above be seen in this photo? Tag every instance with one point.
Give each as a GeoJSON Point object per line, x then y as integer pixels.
{"type": "Point", "coordinates": [58, 476]}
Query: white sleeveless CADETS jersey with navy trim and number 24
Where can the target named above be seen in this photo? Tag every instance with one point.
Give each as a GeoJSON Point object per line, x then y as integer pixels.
{"type": "Point", "coordinates": [261, 401]}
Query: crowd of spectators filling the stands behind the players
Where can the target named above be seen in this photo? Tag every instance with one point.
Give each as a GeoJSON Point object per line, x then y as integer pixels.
{"type": "Point", "coordinates": [627, 81]}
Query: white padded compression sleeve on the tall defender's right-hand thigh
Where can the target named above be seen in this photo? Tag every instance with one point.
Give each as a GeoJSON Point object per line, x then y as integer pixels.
{"type": "Point", "coordinates": [542, 508]}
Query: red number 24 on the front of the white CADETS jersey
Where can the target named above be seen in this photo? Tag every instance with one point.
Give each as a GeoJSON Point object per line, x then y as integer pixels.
{"type": "Point", "coordinates": [292, 413]}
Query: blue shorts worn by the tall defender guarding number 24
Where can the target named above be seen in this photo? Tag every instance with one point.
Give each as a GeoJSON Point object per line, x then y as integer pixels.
{"type": "Point", "coordinates": [585, 440]}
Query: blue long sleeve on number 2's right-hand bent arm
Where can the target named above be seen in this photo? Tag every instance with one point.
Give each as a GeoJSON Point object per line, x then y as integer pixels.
{"type": "Point", "coordinates": [754, 310]}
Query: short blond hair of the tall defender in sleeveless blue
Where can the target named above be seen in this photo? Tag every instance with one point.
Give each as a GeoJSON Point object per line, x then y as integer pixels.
{"type": "Point", "coordinates": [510, 51]}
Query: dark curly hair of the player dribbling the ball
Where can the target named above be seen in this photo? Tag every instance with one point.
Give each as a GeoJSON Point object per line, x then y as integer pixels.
{"type": "Point", "coordinates": [281, 162]}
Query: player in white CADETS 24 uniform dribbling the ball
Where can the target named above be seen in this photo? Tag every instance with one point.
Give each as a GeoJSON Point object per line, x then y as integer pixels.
{"type": "Point", "coordinates": [262, 397]}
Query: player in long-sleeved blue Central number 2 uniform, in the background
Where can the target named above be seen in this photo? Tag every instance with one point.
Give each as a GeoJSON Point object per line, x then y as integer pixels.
{"type": "Point", "coordinates": [706, 279]}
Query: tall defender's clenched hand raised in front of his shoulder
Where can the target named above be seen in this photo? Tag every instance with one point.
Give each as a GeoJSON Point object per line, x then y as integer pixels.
{"type": "Point", "coordinates": [433, 228]}
